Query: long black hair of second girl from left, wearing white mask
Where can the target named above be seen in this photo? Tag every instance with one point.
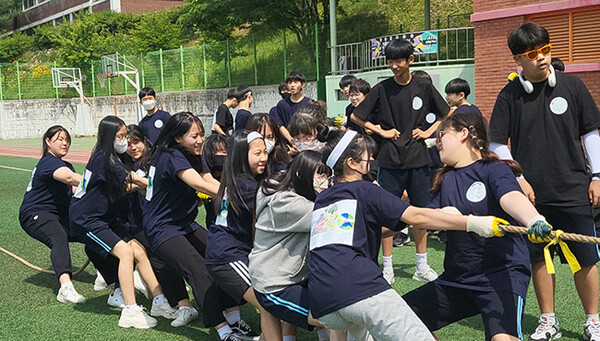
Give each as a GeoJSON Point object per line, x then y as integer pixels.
{"type": "Point", "coordinates": [107, 130]}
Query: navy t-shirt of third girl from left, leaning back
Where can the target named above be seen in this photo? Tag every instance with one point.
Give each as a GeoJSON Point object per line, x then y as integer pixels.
{"type": "Point", "coordinates": [170, 205]}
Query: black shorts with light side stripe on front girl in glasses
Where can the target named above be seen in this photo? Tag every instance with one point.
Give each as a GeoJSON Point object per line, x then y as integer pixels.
{"type": "Point", "coordinates": [440, 305]}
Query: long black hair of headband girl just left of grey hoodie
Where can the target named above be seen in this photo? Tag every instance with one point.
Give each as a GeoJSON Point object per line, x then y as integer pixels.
{"type": "Point", "coordinates": [236, 165]}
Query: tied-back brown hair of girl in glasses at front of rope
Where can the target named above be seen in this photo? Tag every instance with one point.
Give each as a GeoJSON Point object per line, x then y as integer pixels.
{"type": "Point", "coordinates": [477, 127]}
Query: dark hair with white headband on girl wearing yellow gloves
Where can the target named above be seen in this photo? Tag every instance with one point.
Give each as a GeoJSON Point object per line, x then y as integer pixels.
{"type": "Point", "coordinates": [355, 150]}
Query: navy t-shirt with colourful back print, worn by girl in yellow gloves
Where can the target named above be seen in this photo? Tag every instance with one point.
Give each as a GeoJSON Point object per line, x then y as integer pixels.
{"type": "Point", "coordinates": [344, 244]}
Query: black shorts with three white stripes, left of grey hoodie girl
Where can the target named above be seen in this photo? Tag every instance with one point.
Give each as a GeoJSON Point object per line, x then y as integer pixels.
{"type": "Point", "coordinates": [233, 278]}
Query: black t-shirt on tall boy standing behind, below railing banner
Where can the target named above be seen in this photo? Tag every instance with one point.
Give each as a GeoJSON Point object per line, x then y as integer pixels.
{"type": "Point", "coordinates": [403, 107]}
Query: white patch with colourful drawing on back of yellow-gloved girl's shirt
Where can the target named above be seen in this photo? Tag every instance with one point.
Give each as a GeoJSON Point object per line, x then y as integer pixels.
{"type": "Point", "coordinates": [333, 224]}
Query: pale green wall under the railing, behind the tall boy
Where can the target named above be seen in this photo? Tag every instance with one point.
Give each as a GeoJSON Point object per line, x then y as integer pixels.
{"type": "Point", "coordinates": [336, 103]}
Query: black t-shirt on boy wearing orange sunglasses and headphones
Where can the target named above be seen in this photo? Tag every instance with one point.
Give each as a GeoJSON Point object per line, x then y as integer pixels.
{"type": "Point", "coordinates": [545, 129]}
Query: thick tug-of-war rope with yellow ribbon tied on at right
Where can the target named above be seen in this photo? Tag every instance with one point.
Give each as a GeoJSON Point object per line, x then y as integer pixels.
{"type": "Point", "coordinates": [558, 237]}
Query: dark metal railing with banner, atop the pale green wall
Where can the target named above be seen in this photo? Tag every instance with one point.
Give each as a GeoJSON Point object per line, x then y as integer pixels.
{"type": "Point", "coordinates": [454, 45]}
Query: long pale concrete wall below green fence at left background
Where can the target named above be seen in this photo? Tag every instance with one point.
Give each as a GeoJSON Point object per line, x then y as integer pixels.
{"type": "Point", "coordinates": [31, 118]}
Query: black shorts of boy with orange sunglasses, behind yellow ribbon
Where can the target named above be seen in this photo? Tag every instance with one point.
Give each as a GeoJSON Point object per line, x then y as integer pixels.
{"type": "Point", "coordinates": [573, 219]}
